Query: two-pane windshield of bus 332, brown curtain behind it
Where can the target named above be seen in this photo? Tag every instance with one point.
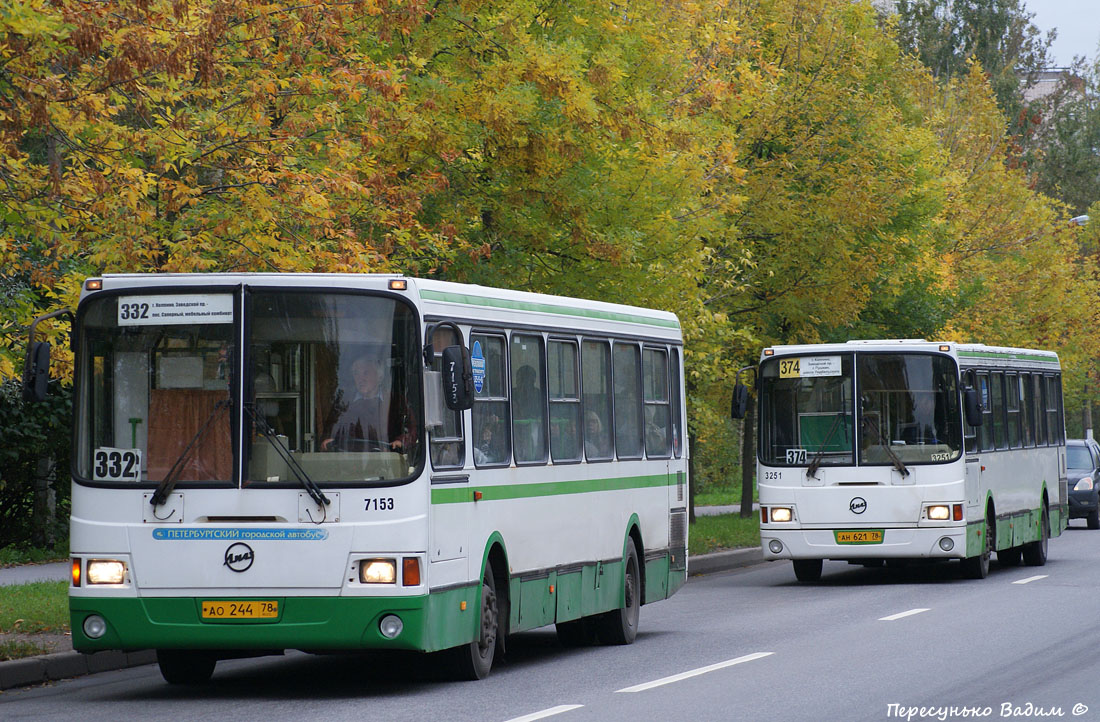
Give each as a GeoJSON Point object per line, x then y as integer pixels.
{"type": "Point", "coordinates": [332, 389]}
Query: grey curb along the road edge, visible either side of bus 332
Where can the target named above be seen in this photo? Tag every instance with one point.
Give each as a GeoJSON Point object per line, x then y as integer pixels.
{"type": "Point", "coordinates": [64, 665]}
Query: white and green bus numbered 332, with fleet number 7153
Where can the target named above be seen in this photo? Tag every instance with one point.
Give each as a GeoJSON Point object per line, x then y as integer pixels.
{"type": "Point", "coordinates": [342, 463]}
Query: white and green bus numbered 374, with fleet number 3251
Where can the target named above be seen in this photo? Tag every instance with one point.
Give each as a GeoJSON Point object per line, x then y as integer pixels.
{"type": "Point", "coordinates": [898, 451]}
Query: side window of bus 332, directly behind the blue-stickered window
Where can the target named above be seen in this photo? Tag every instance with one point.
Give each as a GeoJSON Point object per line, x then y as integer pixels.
{"type": "Point", "coordinates": [529, 400]}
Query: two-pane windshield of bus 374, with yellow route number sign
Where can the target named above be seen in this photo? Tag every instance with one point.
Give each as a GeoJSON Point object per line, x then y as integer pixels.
{"type": "Point", "coordinates": [909, 410]}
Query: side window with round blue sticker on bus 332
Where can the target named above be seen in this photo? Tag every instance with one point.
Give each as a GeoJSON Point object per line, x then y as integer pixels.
{"type": "Point", "coordinates": [491, 442]}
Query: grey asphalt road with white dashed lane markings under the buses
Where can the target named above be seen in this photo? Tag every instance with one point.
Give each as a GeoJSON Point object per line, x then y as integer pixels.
{"type": "Point", "coordinates": [752, 644]}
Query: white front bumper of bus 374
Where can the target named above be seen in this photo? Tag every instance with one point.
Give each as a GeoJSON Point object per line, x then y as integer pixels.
{"type": "Point", "coordinates": [908, 543]}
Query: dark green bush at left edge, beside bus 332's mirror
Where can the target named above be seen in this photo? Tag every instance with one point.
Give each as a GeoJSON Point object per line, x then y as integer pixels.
{"type": "Point", "coordinates": [34, 432]}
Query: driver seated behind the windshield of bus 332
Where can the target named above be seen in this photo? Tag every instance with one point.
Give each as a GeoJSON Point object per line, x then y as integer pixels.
{"type": "Point", "coordinates": [375, 420]}
